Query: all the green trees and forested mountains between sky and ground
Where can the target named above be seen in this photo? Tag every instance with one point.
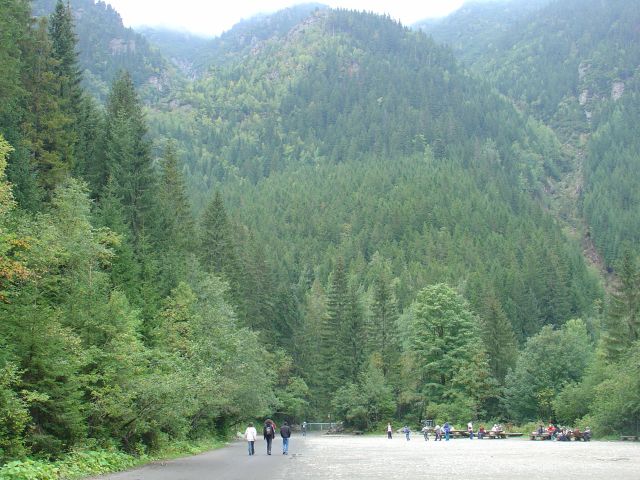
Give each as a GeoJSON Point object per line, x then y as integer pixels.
{"type": "Point", "coordinates": [319, 212]}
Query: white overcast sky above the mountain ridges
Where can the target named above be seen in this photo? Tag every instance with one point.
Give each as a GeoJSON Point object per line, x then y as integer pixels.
{"type": "Point", "coordinates": [212, 17]}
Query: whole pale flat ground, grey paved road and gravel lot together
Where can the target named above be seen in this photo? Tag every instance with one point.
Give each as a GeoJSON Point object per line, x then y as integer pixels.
{"type": "Point", "coordinates": [354, 457]}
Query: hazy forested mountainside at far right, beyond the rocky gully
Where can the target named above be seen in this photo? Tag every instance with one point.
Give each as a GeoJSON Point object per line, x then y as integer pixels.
{"type": "Point", "coordinates": [575, 64]}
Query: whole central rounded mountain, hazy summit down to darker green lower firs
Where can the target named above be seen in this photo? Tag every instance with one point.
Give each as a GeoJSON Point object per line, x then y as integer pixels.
{"type": "Point", "coordinates": [358, 97]}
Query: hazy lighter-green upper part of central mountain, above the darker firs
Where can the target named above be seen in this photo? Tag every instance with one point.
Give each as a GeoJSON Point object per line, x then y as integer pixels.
{"type": "Point", "coordinates": [331, 90]}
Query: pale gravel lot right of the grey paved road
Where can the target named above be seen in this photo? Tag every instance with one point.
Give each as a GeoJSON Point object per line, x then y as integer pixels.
{"type": "Point", "coordinates": [376, 457]}
